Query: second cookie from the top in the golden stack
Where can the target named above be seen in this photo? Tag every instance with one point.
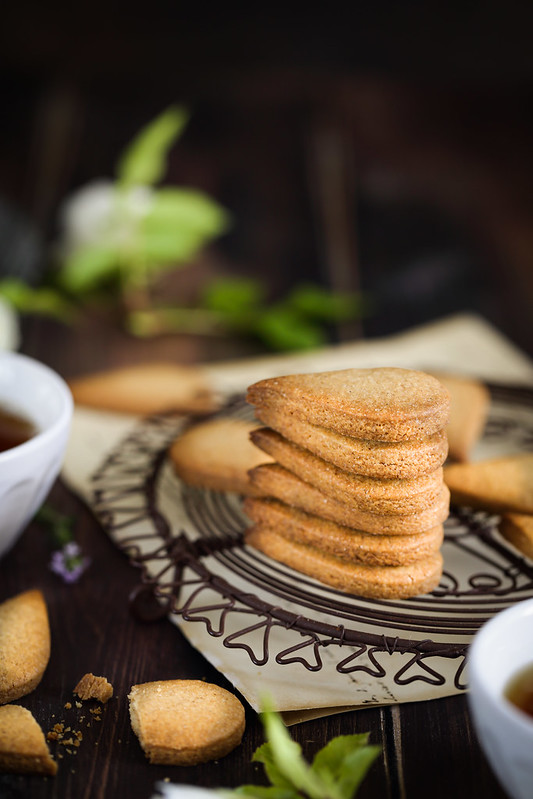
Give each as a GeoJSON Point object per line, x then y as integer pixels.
{"type": "Point", "coordinates": [383, 460]}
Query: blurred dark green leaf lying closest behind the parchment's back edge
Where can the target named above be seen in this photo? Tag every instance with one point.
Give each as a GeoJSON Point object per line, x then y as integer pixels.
{"type": "Point", "coordinates": [283, 329]}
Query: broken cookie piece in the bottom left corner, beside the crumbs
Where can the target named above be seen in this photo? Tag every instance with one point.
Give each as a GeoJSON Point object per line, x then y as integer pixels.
{"type": "Point", "coordinates": [23, 748]}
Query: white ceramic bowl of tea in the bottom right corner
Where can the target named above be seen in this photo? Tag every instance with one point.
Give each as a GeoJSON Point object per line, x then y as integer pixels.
{"type": "Point", "coordinates": [502, 648]}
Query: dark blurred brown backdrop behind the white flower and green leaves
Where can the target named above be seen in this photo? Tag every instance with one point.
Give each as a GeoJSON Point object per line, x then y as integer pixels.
{"type": "Point", "coordinates": [387, 150]}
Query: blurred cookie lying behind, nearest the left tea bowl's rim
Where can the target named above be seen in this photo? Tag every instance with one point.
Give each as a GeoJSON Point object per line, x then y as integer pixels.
{"type": "Point", "coordinates": [145, 389]}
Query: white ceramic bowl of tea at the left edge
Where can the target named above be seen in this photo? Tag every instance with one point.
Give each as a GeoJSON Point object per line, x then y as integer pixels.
{"type": "Point", "coordinates": [31, 390]}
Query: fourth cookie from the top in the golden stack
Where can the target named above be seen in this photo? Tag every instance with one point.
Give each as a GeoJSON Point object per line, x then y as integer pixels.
{"type": "Point", "coordinates": [273, 480]}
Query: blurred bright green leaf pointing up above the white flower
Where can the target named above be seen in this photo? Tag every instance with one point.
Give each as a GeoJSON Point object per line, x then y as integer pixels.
{"type": "Point", "coordinates": [144, 160]}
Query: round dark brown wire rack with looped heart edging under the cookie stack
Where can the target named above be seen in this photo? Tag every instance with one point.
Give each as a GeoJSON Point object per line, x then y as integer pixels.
{"type": "Point", "coordinates": [275, 614]}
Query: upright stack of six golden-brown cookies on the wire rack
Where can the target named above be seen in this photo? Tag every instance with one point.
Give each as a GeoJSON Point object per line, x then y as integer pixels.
{"type": "Point", "coordinates": [355, 495]}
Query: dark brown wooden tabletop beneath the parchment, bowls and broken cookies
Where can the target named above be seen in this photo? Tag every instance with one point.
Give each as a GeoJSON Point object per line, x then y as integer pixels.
{"type": "Point", "coordinates": [429, 749]}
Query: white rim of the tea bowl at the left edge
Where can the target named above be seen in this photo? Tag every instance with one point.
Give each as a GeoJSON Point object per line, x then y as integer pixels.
{"type": "Point", "coordinates": [42, 437]}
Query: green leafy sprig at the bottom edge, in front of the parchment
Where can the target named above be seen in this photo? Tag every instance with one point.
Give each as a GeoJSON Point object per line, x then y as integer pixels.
{"type": "Point", "coordinates": [336, 771]}
